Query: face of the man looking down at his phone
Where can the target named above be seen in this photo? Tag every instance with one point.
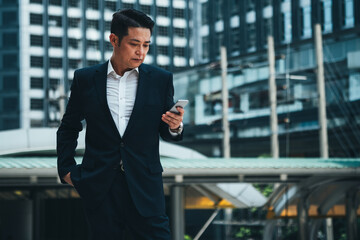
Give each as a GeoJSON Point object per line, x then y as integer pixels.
{"type": "Point", "coordinates": [132, 49]}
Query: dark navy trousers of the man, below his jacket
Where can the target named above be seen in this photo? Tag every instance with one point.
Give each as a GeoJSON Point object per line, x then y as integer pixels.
{"type": "Point", "coordinates": [117, 217]}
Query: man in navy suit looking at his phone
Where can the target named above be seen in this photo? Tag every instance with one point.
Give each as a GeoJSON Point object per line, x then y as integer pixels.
{"type": "Point", "coordinates": [125, 105]}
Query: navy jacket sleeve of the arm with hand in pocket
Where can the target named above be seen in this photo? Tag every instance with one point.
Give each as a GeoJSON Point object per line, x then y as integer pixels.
{"type": "Point", "coordinates": [68, 131]}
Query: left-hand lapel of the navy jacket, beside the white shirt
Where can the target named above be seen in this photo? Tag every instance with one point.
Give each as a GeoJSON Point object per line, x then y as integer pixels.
{"type": "Point", "coordinates": [100, 79]}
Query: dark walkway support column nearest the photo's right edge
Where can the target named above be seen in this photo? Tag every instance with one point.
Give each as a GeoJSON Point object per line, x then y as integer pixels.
{"type": "Point", "coordinates": [351, 216]}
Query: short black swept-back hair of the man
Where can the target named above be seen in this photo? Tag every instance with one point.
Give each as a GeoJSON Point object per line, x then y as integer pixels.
{"type": "Point", "coordinates": [123, 19]}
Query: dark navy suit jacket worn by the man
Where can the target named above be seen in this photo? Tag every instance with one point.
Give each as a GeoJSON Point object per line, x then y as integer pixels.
{"type": "Point", "coordinates": [138, 148]}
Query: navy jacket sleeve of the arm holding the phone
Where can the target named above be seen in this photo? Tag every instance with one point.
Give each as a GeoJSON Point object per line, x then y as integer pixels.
{"type": "Point", "coordinates": [169, 99]}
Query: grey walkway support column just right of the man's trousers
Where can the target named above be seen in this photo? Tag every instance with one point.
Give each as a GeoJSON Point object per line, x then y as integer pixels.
{"type": "Point", "coordinates": [177, 212]}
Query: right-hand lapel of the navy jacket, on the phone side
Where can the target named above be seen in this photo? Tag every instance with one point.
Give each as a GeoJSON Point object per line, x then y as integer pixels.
{"type": "Point", "coordinates": [144, 75]}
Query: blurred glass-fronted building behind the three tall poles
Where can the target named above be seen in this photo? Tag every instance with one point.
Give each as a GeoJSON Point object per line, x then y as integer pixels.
{"type": "Point", "coordinates": [243, 27]}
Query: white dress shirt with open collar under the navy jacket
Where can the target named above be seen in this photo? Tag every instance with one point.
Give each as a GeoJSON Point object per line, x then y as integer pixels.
{"type": "Point", "coordinates": [121, 94]}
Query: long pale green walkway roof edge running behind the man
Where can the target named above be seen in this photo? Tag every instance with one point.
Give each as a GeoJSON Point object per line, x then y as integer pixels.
{"type": "Point", "coordinates": [210, 169]}
